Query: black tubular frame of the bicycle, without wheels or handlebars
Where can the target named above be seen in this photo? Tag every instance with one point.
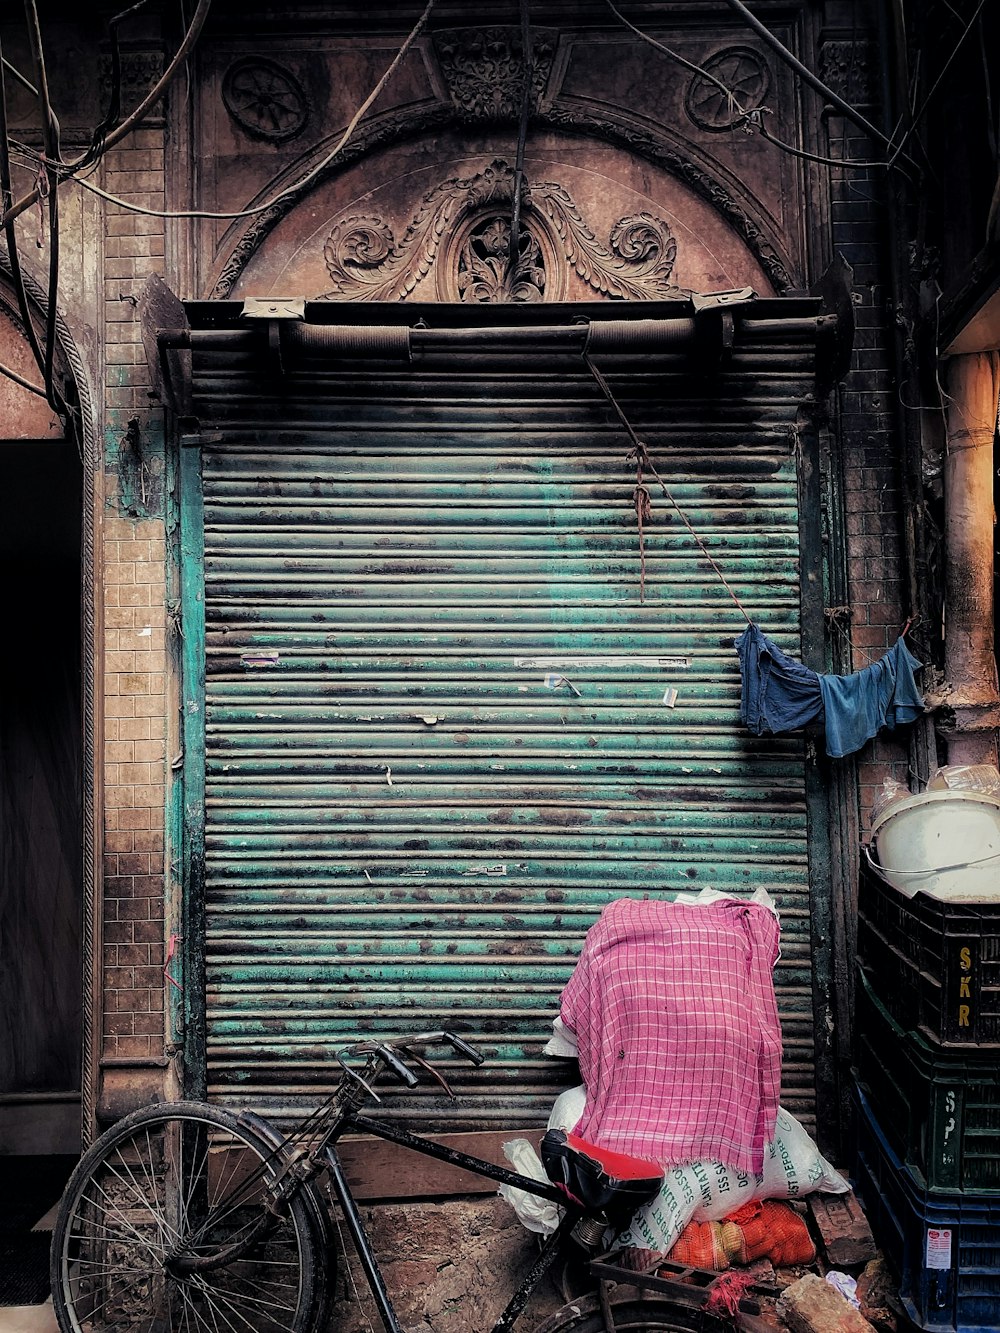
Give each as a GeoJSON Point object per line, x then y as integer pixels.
{"type": "Point", "coordinates": [349, 1120]}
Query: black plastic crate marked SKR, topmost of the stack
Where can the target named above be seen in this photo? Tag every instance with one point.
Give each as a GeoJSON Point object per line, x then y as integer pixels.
{"type": "Point", "coordinates": [934, 966]}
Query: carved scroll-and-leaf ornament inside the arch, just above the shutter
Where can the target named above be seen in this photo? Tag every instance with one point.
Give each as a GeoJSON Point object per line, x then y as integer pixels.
{"type": "Point", "coordinates": [463, 233]}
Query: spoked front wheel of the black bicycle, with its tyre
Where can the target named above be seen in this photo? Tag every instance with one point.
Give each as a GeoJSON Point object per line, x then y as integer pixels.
{"type": "Point", "coordinates": [165, 1228]}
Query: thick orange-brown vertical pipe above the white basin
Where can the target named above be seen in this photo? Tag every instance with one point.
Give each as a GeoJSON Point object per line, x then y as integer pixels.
{"type": "Point", "coordinates": [971, 695]}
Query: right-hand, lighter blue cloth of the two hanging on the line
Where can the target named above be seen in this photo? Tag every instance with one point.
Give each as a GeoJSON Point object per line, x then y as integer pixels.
{"type": "Point", "coordinates": [859, 706]}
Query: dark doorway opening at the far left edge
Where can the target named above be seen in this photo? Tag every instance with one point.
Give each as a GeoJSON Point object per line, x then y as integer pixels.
{"type": "Point", "coordinates": [41, 802]}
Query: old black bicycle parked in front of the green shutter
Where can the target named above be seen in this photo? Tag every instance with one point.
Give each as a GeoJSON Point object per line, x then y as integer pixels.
{"type": "Point", "coordinates": [191, 1219]}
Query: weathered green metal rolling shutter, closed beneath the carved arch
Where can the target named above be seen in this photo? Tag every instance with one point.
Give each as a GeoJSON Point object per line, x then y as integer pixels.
{"type": "Point", "coordinates": [406, 826]}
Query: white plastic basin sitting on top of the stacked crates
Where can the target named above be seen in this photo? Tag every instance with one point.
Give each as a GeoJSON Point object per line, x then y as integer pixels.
{"type": "Point", "coordinates": [945, 844]}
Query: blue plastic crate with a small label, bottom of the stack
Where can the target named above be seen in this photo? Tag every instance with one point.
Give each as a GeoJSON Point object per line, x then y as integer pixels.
{"type": "Point", "coordinates": [945, 1250]}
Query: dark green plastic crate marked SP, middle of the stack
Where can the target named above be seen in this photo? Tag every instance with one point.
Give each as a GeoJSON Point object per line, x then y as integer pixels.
{"type": "Point", "coordinates": [939, 1108]}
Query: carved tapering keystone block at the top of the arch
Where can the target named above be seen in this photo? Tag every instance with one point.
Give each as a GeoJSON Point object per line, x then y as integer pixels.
{"type": "Point", "coordinates": [485, 70]}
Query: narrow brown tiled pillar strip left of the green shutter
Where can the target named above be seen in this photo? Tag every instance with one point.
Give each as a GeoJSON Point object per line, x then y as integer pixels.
{"type": "Point", "coordinates": [135, 659]}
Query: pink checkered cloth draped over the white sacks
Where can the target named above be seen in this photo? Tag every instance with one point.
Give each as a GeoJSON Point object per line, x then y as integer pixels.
{"type": "Point", "coordinates": [681, 1047]}
